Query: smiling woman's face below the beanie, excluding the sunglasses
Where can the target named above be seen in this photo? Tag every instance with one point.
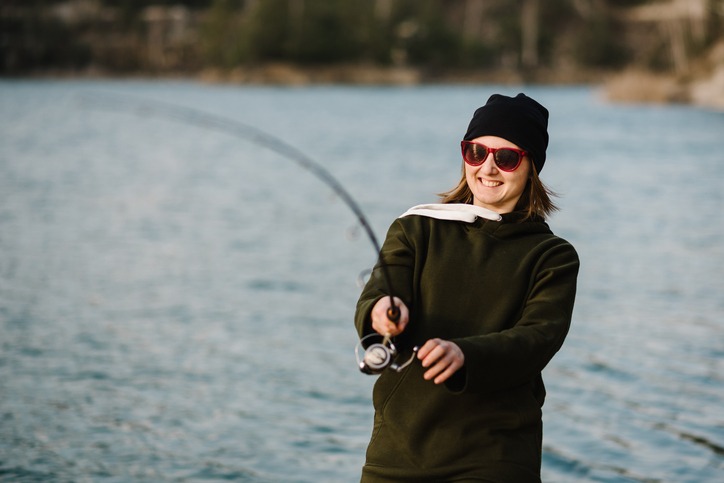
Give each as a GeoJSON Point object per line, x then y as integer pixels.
{"type": "Point", "coordinates": [494, 188]}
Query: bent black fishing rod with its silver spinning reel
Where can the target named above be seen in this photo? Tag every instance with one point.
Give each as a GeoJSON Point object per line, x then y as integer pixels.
{"type": "Point", "coordinates": [378, 356]}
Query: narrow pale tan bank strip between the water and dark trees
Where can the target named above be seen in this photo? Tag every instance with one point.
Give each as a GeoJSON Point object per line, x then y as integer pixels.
{"type": "Point", "coordinates": [627, 86]}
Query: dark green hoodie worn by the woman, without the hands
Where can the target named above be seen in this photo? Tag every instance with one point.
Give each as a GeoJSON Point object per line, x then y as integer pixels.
{"type": "Point", "coordinates": [503, 291]}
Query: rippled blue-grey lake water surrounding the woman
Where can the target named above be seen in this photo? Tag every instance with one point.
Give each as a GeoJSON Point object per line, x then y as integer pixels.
{"type": "Point", "coordinates": [176, 302]}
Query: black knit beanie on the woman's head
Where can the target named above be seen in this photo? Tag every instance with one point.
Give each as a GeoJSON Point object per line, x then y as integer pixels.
{"type": "Point", "coordinates": [520, 119]}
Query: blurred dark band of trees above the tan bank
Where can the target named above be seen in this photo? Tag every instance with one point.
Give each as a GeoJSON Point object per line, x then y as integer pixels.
{"type": "Point", "coordinates": [433, 35]}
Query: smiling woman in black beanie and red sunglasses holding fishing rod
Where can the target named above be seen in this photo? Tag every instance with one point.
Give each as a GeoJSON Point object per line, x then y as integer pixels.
{"type": "Point", "coordinates": [486, 291]}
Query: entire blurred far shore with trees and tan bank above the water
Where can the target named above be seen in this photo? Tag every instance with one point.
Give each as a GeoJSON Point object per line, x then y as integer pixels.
{"type": "Point", "coordinates": [648, 51]}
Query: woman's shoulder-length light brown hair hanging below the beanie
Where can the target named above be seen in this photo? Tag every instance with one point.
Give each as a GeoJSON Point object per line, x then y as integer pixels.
{"type": "Point", "coordinates": [535, 202]}
